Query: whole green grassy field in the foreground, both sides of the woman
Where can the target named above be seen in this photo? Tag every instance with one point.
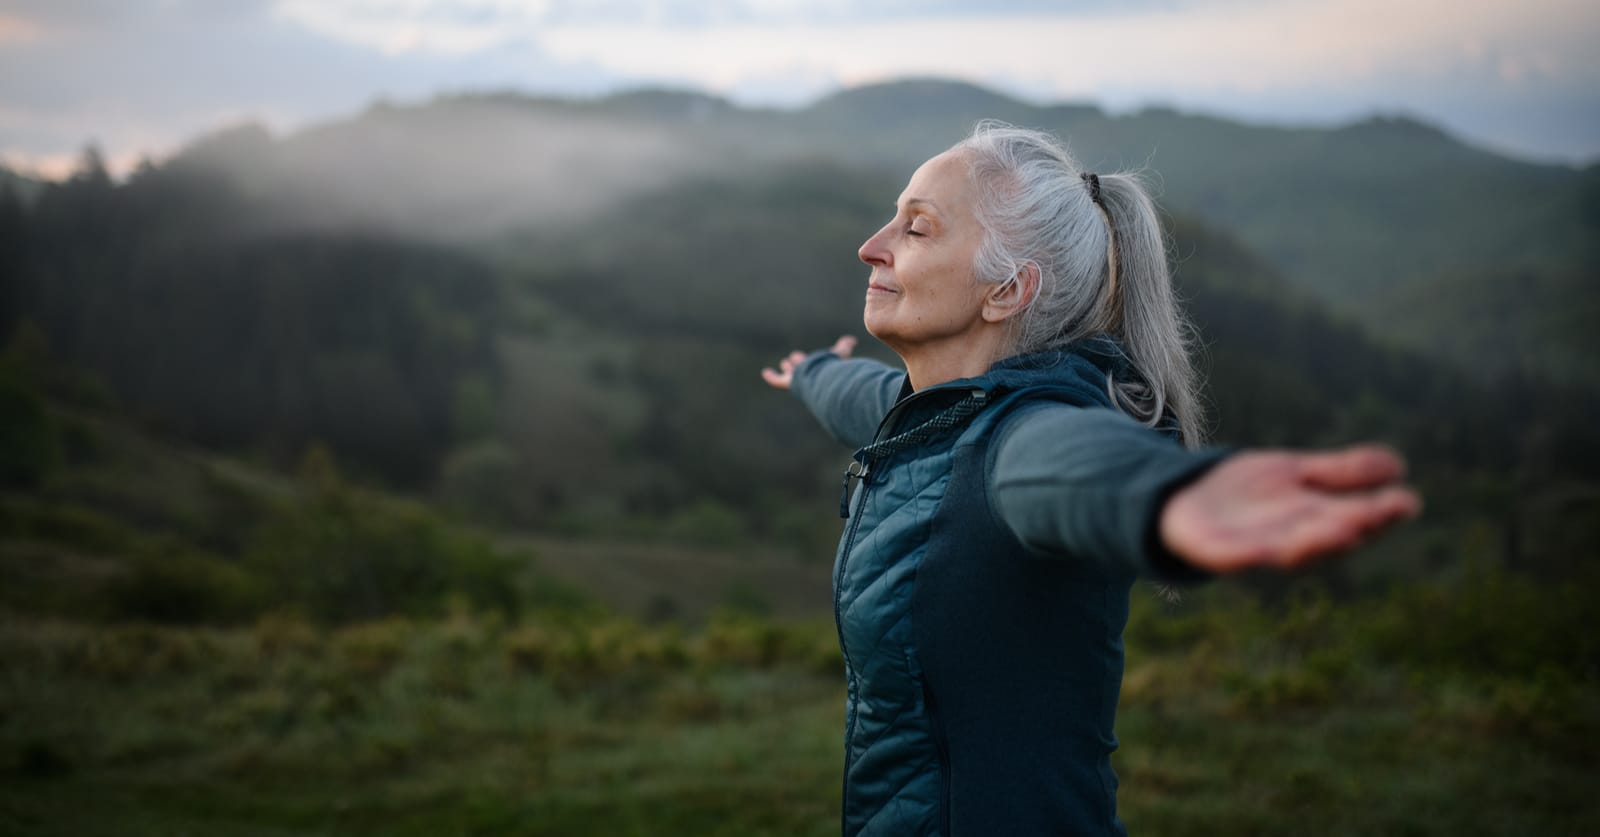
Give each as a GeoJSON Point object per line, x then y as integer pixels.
{"type": "Point", "coordinates": [1236, 719]}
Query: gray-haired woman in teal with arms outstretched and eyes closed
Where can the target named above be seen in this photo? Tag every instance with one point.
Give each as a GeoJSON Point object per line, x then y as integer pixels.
{"type": "Point", "coordinates": [1033, 460]}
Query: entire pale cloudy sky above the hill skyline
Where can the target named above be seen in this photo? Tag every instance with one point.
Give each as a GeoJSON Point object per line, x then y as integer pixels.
{"type": "Point", "coordinates": [143, 78]}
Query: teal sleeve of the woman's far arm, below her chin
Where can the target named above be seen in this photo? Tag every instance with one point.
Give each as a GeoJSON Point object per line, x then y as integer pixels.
{"type": "Point", "coordinates": [849, 398]}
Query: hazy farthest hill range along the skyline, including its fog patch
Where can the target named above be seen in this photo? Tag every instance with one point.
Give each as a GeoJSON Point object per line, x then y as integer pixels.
{"type": "Point", "coordinates": [1385, 218]}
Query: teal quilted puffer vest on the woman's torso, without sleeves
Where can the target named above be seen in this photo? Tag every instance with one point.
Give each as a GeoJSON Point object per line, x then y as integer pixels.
{"type": "Point", "coordinates": [982, 678]}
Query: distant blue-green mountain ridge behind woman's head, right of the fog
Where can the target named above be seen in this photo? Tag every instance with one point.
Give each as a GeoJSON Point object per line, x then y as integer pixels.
{"type": "Point", "coordinates": [1346, 210]}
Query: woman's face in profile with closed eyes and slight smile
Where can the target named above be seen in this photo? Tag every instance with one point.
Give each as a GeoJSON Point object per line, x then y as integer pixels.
{"type": "Point", "coordinates": [922, 289]}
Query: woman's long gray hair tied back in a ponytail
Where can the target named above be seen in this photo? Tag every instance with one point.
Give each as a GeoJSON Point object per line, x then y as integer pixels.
{"type": "Point", "coordinates": [1102, 266]}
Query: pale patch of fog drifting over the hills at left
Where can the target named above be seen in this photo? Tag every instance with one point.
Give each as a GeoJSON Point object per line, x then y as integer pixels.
{"type": "Point", "coordinates": [455, 170]}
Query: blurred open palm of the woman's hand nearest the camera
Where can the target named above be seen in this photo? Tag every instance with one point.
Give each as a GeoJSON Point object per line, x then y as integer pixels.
{"type": "Point", "coordinates": [1286, 508]}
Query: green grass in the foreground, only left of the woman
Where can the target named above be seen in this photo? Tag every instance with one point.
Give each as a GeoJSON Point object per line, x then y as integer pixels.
{"type": "Point", "coordinates": [406, 729]}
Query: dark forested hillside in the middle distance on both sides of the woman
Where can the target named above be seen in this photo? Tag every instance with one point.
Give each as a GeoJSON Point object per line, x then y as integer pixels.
{"type": "Point", "coordinates": [598, 374]}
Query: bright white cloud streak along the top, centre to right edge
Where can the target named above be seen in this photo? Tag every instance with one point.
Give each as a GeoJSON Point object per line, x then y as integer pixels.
{"type": "Point", "coordinates": [1231, 46]}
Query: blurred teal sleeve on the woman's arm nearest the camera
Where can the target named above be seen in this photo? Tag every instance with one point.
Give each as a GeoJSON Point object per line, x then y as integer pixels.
{"type": "Point", "coordinates": [1092, 483]}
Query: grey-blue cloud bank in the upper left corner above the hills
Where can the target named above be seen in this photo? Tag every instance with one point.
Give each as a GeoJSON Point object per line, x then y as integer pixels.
{"type": "Point", "coordinates": [148, 76]}
